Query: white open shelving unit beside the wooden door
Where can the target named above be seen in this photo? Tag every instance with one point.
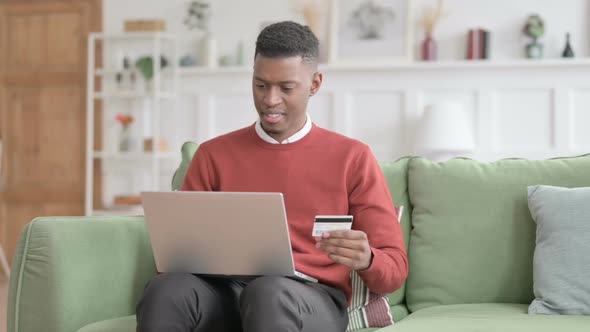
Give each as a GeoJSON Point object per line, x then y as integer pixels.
{"type": "Point", "coordinates": [114, 100]}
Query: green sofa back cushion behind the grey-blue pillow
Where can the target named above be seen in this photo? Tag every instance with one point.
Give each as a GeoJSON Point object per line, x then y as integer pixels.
{"type": "Point", "coordinates": [473, 237]}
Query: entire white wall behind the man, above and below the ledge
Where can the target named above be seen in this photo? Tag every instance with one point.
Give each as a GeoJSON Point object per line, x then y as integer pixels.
{"type": "Point", "coordinates": [516, 108]}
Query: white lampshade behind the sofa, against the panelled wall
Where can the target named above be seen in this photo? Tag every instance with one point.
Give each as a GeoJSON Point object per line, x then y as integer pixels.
{"type": "Point", "coordinates": [444, 132]}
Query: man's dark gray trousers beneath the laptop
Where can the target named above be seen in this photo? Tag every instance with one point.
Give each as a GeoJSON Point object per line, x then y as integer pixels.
{"type": "Point", "coordinates": [176, 302]}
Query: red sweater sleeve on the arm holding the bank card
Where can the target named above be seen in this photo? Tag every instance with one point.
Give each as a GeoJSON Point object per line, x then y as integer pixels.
{"type": "Point", "coordinates": [374, 213]}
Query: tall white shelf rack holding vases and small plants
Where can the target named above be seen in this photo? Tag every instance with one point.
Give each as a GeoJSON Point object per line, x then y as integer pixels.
{"type": "Point", "coordinates": [145, 96]}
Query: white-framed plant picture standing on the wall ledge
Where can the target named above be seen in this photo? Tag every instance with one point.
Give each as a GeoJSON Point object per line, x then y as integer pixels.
{"type": "Point", "coordinates": [370, 32]}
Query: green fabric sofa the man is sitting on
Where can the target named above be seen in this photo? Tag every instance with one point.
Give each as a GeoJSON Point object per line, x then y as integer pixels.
{"type": "Point", "coordinates": [470, 242]}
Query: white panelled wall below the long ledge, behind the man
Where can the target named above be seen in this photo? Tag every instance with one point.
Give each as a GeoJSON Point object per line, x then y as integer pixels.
{"type": "Point", "coordinates": [540, 117]}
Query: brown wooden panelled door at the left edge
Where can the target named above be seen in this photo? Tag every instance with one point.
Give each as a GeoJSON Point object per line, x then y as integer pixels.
{"type": "Point", "coordinates": [43, 56]}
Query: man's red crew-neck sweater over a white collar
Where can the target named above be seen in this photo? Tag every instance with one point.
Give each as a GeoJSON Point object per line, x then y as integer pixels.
{"type": "Point", "coordinates": [323, 173]}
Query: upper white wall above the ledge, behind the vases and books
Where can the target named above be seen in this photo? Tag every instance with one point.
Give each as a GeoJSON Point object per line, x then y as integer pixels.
{"type": "Point", "coordinates": [235, 20]}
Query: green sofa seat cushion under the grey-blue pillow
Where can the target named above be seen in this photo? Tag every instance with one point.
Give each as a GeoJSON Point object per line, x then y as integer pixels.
{"type": "Point", "coordinates": [489, 317]}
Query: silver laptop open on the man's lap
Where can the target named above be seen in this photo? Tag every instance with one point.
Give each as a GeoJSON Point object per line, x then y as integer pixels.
{"type": "Point", "coordinates": [220, 233]}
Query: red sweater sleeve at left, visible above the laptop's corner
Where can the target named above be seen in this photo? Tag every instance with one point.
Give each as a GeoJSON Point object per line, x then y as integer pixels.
{"type": "Point", "coordinates": [199, 176]}
